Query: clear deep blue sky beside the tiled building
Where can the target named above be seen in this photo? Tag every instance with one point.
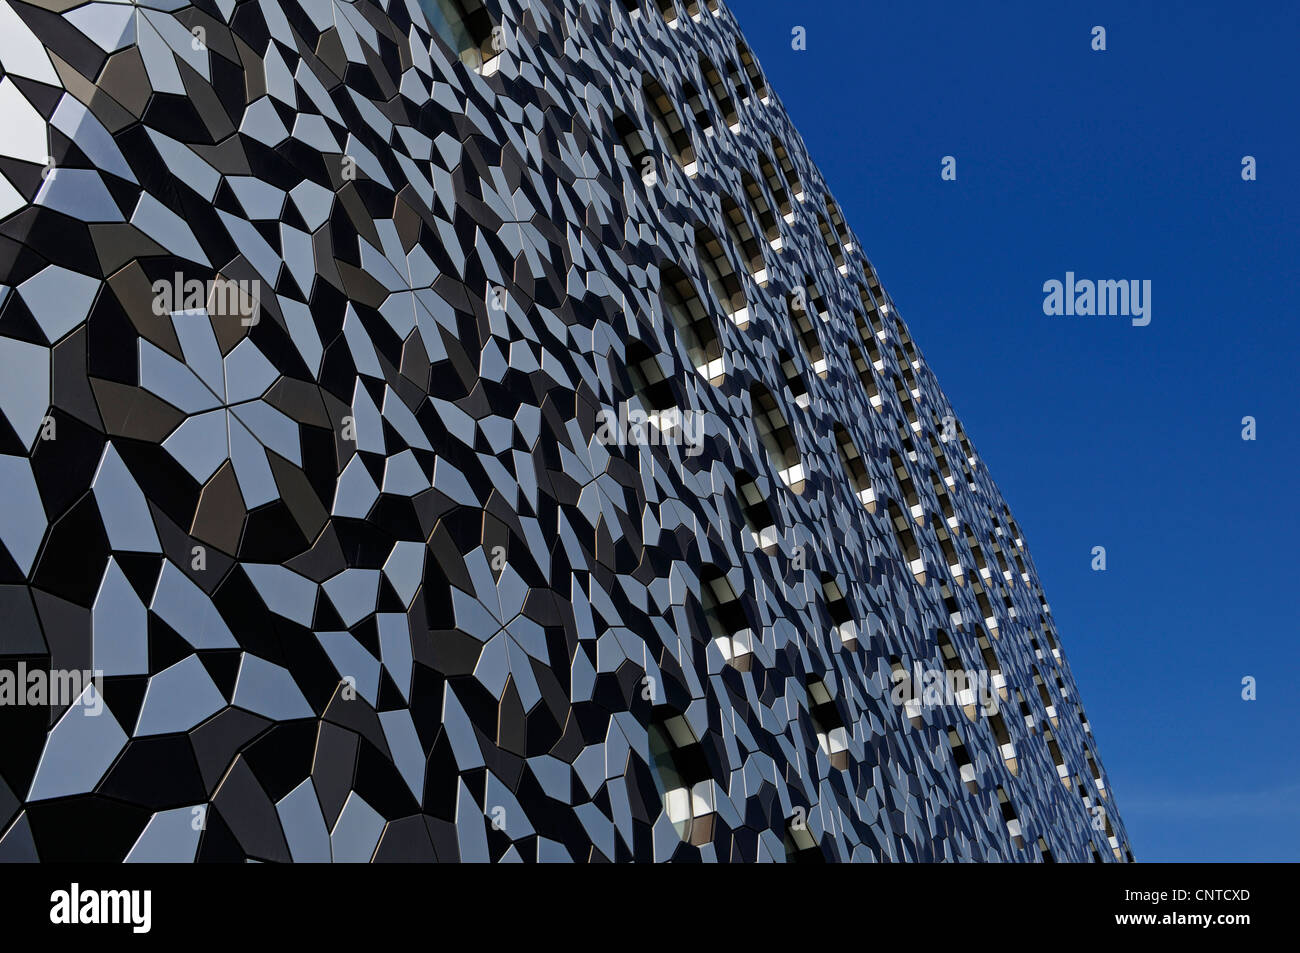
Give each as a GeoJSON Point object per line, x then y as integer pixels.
{"type": "Point", "coordinates": [1117, 164]}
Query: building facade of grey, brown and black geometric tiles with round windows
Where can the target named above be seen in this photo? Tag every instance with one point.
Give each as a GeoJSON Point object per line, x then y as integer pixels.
{"type": "Point", "coordinates": [448, 431]}
